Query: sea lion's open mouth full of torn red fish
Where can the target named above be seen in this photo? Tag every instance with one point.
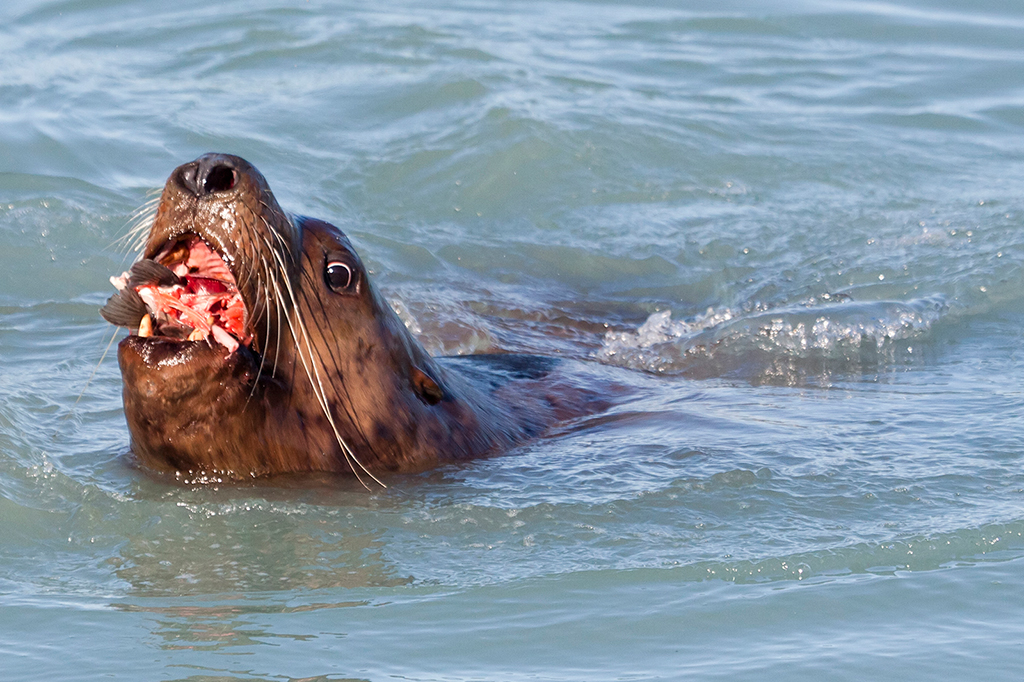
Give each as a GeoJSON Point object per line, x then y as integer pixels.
{"type": "Point", "coordinates": [186, 292]}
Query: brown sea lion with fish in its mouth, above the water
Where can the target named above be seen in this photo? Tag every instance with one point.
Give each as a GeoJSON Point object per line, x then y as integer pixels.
{"type": "Point", "coordinates": [259, 346]}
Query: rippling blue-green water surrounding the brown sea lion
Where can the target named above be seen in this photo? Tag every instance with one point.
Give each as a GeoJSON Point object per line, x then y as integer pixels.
{"type": "Point", "coordinates": [794, 229]}
